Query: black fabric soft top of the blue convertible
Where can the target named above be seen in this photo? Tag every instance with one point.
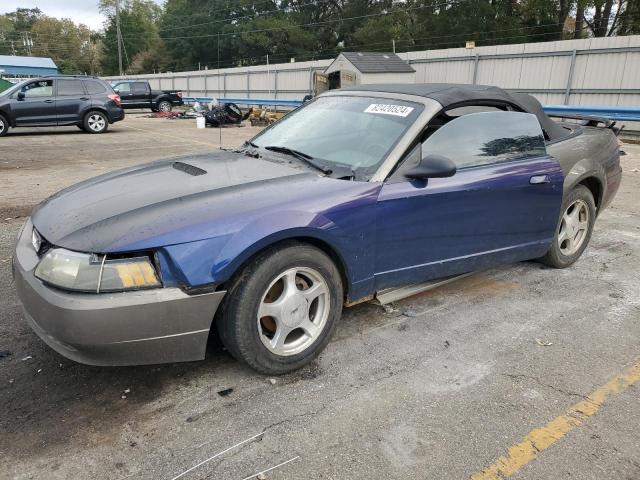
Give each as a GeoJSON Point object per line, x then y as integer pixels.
{"type": "Point", "coordinates": [452, 94]}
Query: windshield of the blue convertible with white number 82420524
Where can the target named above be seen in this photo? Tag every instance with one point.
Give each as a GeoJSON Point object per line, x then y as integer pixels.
{"type": "Point", "coordinates": [356, 132]}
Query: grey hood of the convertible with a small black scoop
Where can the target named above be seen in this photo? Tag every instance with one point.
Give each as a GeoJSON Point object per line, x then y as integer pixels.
{"type": "Point", "coordinates": [138, 205]}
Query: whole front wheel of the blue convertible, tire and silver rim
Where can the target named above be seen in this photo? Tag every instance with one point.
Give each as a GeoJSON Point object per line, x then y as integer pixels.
{"type": "Point", "coordinates": [282, 308]}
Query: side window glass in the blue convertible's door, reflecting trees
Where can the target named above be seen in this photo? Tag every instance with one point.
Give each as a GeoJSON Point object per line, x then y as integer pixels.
{"type": "Point", "coordinates": [484, 138]}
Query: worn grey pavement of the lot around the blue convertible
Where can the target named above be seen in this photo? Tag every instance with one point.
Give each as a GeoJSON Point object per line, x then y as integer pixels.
{"type": "Point", "coordinates": [438, 387]}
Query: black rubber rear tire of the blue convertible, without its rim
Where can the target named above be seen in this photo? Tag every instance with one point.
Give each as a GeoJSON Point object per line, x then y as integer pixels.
{"type": "Point", "coordinates": [555, 257]}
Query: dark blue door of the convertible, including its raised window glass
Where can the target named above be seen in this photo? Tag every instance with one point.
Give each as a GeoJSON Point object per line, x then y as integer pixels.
{"type": "Point", "coordinates": [501, 205]}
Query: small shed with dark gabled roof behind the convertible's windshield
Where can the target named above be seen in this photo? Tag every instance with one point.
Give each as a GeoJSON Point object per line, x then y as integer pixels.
{"type": "Point", "coordinates": [368, 67]}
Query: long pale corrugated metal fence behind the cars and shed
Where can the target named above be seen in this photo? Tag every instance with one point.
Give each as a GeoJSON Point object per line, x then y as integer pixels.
{"type": "Point", "coordinates": [596, 71]}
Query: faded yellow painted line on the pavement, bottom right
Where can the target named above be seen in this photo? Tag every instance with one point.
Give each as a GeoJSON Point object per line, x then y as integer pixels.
{"type": "Point", "coordinates": [540, 439]}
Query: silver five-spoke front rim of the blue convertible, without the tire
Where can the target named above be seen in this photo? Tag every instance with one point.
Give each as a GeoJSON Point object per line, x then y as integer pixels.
{"type": "Point", "coordinates": [293, 311]}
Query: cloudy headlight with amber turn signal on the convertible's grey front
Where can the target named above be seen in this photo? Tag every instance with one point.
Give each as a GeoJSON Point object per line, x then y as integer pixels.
{"type": "Point", "coordinates": [95, 273]}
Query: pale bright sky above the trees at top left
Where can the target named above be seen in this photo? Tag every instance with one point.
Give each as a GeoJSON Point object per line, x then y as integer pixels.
{"type": "Point", "coordinates": [80, 11]}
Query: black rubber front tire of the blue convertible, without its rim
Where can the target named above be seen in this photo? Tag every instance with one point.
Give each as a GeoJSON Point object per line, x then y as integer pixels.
{"type": "Point", "coordinates": [237, 321]}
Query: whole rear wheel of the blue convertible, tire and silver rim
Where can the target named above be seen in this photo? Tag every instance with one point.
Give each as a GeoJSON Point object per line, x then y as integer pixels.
{"type": "Point", "coordinates": [578, 215]}
